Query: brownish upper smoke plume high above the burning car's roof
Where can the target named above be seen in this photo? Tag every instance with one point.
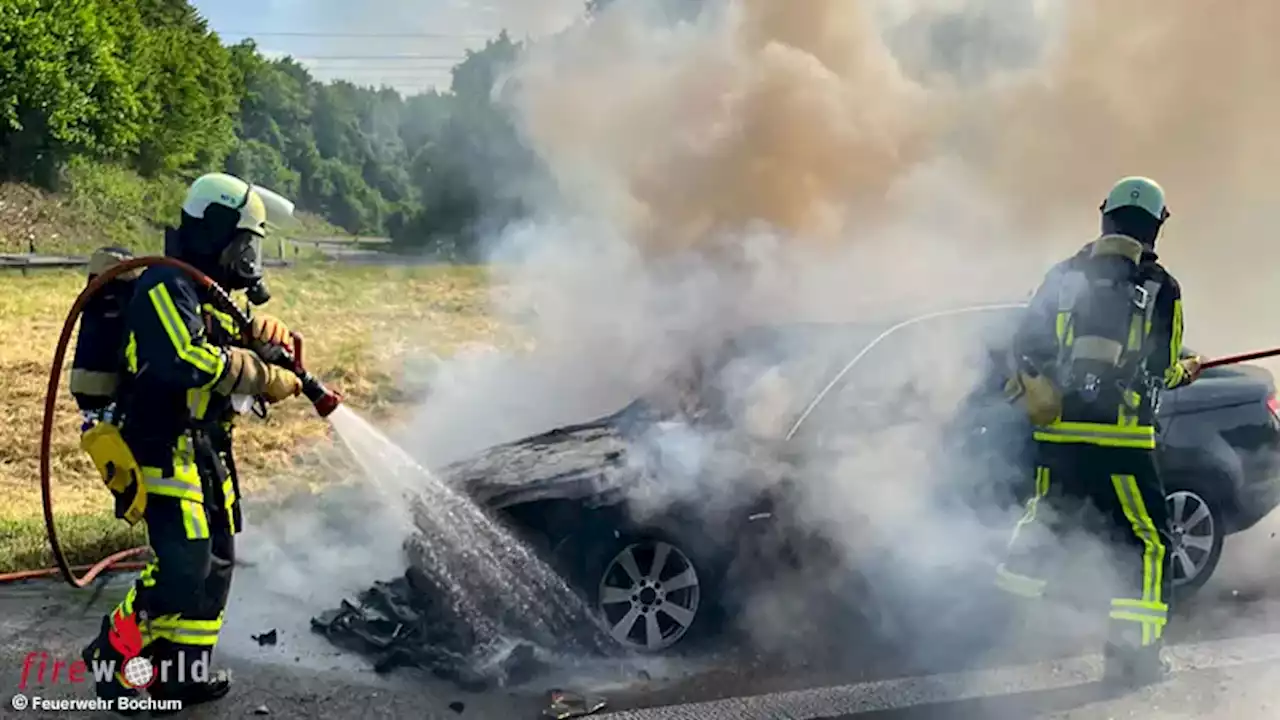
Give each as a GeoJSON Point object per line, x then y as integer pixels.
{"type": "Point", "coordinates": [801, 116]}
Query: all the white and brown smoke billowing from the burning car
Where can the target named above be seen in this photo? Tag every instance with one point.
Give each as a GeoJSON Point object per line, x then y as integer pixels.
{"type": "Point", "coordinates": [845, 161]}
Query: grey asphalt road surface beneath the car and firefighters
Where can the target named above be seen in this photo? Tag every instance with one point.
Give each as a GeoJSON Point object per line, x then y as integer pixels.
{"type": "Point", "coordinates": [1226, 653]}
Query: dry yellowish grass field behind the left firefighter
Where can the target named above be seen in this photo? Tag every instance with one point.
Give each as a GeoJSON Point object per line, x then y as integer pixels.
{"type": "Point", "coordinates": [360, 325]}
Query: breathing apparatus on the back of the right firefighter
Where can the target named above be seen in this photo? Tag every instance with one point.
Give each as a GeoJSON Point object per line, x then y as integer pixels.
{"type": "Point", "coordinates": [1105, 312]}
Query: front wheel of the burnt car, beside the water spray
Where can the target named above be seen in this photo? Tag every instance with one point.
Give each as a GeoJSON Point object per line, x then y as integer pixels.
{"type": "Point", "coordinates": [650, 593]}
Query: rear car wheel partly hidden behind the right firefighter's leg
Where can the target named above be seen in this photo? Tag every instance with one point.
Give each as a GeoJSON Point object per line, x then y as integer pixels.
{"type": "Point", "coordinates": [1196, 532]}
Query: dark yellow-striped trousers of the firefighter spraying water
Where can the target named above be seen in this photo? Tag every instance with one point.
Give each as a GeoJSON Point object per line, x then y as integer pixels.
{"type": "Point", "coordinates": [180, 598]}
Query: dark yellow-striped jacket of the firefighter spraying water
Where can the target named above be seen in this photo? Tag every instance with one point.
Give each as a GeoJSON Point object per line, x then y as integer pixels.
{"type": "Point", "coordinates": [179, 429]}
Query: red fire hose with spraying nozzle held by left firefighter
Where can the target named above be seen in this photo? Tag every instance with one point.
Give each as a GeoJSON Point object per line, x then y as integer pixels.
{"type": "Point", "coordinates": [324, 400]}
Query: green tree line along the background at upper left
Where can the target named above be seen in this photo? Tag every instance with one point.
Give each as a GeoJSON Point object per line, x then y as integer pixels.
{"type": "Point", "coordinates": [145, 85]}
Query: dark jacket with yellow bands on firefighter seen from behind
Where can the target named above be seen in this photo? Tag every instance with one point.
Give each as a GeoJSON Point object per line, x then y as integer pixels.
{"type": "Point", "coordinates": [1132, 422]}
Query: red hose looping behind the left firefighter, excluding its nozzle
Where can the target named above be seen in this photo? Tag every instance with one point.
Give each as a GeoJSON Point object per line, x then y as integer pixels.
{"type": "Point", "coordinates": [56, 373]}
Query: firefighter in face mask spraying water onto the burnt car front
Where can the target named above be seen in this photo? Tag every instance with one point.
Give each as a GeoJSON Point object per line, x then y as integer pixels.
{"type": "Point", "coordinates": [184, 367]}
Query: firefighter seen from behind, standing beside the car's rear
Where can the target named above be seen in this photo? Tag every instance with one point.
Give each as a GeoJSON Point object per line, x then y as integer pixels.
{"type": "Point", "coordinates": [1101, 339]}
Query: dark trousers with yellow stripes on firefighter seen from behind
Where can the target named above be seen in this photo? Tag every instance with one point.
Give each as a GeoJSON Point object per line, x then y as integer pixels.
{"type": "Point", "coordinates": [1113, 494]}
